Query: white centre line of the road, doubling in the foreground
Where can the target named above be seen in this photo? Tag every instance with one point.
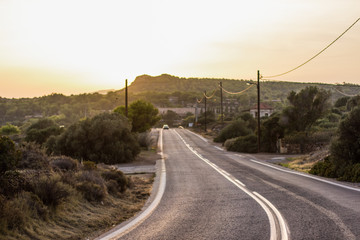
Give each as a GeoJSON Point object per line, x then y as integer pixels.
{"type": "Point", "coordinates": [273, 214]}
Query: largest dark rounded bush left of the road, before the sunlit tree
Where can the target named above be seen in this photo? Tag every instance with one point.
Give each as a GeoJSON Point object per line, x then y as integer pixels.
{"type": "Point", "coordinates": [104, 138]}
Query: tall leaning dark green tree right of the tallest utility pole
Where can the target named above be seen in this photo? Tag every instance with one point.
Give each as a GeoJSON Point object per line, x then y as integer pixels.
{"type": "Point", "coordinates": [306, 107]}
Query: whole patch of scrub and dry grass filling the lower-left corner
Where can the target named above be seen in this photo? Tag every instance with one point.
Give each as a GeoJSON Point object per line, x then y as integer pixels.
{"type": "Point", "coordinates": [57, 197]}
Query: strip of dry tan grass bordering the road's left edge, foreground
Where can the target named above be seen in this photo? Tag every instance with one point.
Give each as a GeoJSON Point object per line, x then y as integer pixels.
{"type": "Point", "coordinates": [79, 219]}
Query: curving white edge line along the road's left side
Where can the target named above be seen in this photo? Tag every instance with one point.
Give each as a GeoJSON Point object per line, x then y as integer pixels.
{"type": "Point", "coordinates": [145, 214]}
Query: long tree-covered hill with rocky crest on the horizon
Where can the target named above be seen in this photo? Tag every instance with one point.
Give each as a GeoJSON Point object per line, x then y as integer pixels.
{"type": "Point", "coordinates": [269, 90]}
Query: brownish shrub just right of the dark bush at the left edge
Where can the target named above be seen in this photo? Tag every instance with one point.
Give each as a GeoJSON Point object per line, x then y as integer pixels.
{"type": "Point", "coordinates": [33, 157]}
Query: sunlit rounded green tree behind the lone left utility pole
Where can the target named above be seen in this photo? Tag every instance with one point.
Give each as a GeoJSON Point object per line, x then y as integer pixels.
{"type": "Point", "coordinates": [142, 115]}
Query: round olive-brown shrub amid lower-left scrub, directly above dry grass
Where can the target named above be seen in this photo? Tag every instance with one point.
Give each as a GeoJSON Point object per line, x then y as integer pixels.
{"type": "Point", "coordinates": [51, 190]}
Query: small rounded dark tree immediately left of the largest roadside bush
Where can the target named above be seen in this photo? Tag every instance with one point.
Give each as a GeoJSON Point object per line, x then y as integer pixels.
{"type": "Point", "coordinates": [41, 130]}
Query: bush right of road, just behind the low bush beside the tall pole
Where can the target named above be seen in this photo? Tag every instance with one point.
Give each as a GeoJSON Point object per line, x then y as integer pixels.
{"type": "Point", "coordinates": [235, 129]}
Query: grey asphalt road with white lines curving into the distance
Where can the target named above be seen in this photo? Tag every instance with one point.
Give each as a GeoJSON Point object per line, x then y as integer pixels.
{"type": "Point", "coordinates": [214, 194]}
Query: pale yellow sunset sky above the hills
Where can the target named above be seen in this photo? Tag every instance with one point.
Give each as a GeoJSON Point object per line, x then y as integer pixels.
{"type": "Point", "coordinates": [81, 46]}
